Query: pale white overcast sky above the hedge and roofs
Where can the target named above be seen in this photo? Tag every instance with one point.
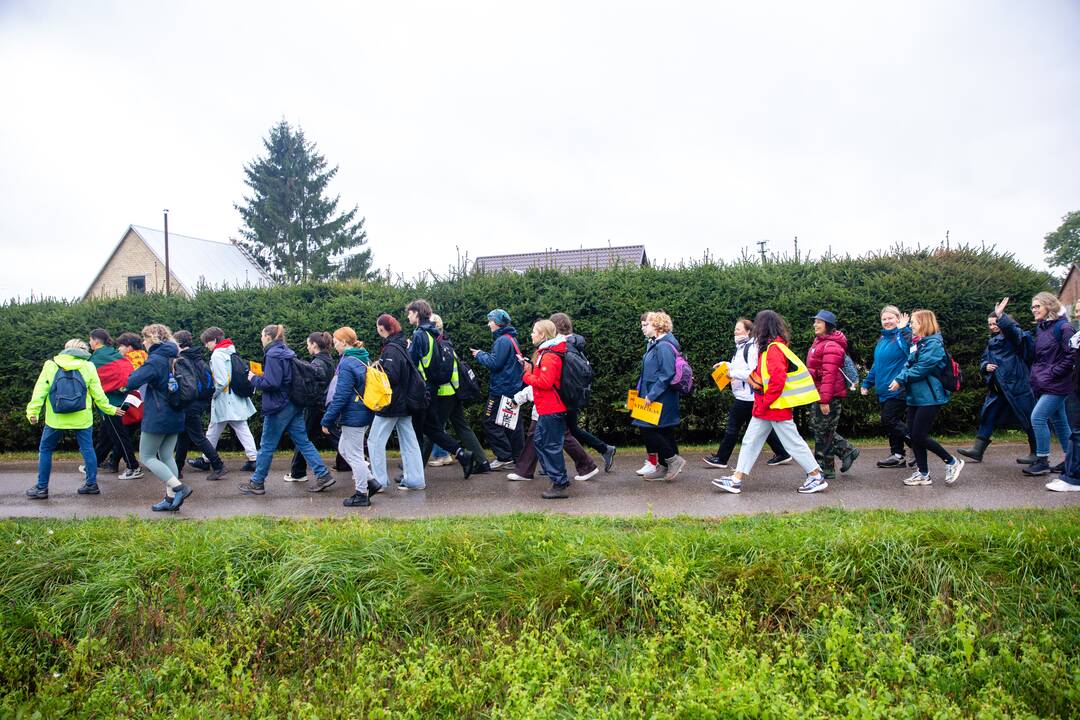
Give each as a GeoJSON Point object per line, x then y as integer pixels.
{"type": "Point", "coordinates": [510, 127]}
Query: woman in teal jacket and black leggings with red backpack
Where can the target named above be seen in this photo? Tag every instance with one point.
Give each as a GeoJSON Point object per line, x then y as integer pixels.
{"type": "Point", "coordinates": [926, 396]}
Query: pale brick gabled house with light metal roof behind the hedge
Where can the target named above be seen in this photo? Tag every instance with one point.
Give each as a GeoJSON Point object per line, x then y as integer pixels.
{"type": "Point", "coordinates": [138, 265]}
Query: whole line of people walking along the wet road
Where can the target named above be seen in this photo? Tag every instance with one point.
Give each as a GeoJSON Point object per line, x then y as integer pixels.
{"type": "Point", "coordinates": [164, 383]}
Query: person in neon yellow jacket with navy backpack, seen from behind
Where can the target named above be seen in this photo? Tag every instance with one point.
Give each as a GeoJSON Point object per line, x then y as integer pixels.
{"type": "Point", "coordinates": [75, 358]}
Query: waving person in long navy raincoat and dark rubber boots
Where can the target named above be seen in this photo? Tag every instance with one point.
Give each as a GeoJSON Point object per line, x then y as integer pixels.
{"type": "Point", "coordinates": [1006, 368]}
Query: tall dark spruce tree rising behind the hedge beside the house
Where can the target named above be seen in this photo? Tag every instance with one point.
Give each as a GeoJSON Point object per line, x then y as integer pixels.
{"type": "Point", "coordinates": [290, 226]}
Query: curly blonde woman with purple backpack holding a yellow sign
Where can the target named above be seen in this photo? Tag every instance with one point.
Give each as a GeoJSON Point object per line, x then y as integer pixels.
{"type": "Point", "coordinates": [655, 386]}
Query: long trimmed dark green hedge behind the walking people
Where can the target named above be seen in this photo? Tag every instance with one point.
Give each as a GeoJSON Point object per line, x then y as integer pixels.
{"type": "Point", "coordinates": [705, 301]}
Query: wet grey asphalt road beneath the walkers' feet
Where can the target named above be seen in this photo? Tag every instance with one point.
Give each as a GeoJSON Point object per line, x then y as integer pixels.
{"type": "Point", "coordinates": [995, 484]}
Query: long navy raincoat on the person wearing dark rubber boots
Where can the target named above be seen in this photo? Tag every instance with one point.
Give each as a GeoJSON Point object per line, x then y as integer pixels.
{"type": "Point", "coordinates": [1012, 350]}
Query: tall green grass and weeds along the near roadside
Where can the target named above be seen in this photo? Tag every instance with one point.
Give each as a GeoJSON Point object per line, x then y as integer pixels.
{"type": "Point", "coordinates": [820, 615]}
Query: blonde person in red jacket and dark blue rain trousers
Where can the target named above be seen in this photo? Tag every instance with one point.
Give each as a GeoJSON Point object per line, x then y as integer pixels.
{"type": "Point", "coordinates": [543, 374]}
